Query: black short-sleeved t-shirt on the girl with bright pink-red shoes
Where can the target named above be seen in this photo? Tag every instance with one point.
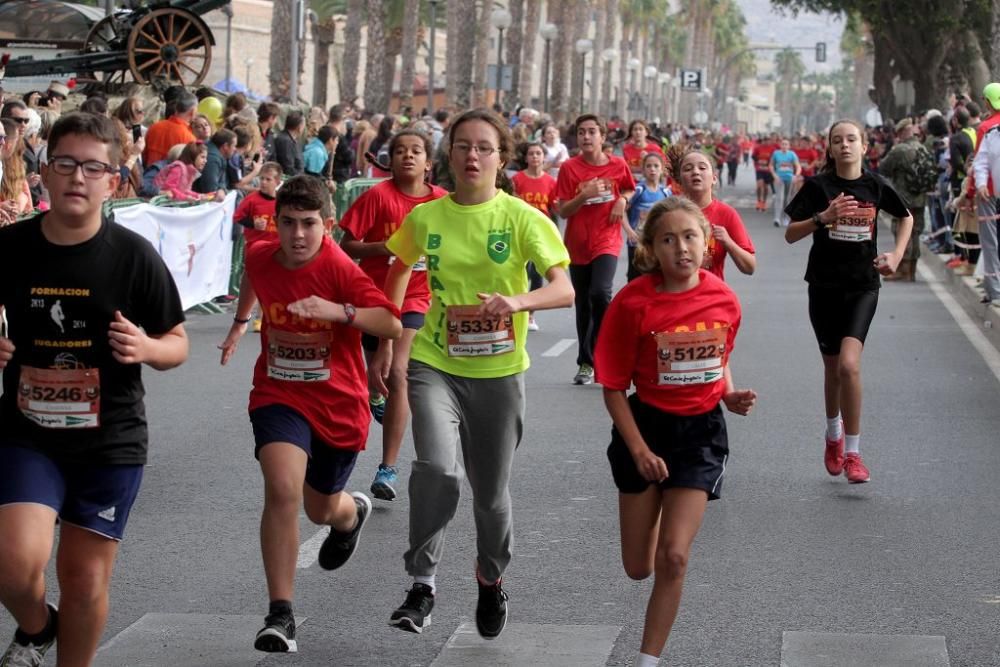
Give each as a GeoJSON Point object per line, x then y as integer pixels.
{"type": "Point", "coordinates": [843, 253]}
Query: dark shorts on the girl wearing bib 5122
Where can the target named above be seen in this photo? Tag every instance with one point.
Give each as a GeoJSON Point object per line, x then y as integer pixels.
{"type": "Point", "coordinates": [695, 449]}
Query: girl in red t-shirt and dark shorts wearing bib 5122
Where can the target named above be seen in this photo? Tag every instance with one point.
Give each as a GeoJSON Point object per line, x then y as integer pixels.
{"type": "Point", "coordinates": [669, 333]}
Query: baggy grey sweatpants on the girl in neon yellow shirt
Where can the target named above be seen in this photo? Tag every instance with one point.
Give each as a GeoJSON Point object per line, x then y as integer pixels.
{"type": "Point", "coordinates": [485, 418]}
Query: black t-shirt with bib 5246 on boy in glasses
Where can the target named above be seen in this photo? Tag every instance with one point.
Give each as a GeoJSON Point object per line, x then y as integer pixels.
{"type": "Point", "coordinates": [60, 302]}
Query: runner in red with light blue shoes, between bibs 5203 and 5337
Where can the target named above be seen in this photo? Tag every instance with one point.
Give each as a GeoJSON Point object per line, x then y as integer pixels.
{"type": "Point", "coordinates": [367, 225]}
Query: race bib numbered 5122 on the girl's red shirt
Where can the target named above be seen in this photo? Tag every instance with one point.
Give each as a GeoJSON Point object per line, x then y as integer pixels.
{"type": "Point", "coordinates": [691, 357]}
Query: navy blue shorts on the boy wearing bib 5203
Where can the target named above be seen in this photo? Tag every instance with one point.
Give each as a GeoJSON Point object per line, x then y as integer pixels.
{"type": "Point", "coordinates": [329, 467]}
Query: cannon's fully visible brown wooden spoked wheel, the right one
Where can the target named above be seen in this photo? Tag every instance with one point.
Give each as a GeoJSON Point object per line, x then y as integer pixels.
{"type": "Point", "coordinates": [170, 44]}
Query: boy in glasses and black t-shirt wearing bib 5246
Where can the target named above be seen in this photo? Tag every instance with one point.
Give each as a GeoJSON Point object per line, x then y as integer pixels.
{"type": "Point", "coordinates": [87, 302]}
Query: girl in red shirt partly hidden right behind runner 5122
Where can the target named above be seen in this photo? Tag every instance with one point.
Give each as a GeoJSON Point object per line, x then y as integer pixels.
{"type": "Point", "coordinates": [697, 176]}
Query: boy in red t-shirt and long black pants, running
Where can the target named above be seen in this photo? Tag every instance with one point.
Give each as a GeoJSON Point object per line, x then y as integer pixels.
{"type": "Point", "coordinates": [593, 190]}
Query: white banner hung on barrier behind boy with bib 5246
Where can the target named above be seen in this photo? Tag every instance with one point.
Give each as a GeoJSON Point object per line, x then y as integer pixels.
{"type": "Point", "coordinates": [196, 243]}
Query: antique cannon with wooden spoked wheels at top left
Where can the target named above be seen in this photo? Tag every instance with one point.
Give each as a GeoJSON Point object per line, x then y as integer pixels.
{"type": "Point", "coordinates": [163, 42]}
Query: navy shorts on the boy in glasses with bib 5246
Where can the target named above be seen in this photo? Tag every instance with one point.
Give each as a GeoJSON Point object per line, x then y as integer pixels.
{"type": "Point", "coordinates": [95, 497]}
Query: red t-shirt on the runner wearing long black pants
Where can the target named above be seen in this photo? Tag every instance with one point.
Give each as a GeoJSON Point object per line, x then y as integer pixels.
{"type": "Point", "coordinates": [589, 231]}
